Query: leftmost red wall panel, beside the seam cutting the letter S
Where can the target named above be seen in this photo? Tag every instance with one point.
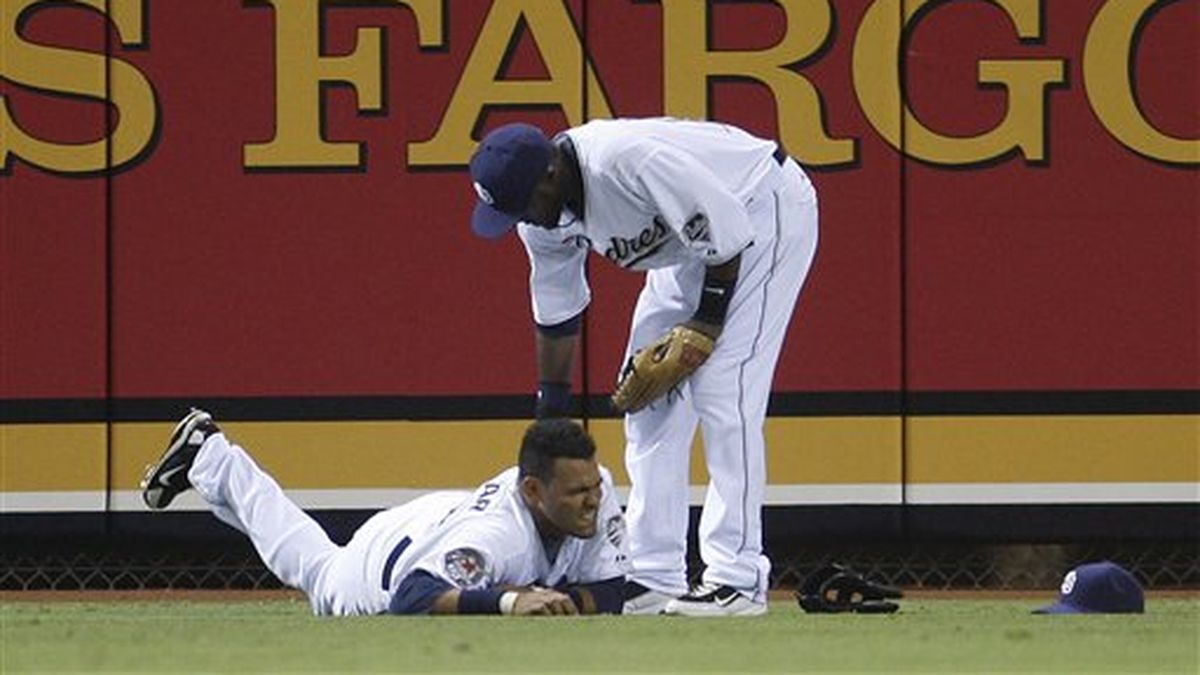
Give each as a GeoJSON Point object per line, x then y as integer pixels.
{"type": "Point", "coordinates": [55, 229]}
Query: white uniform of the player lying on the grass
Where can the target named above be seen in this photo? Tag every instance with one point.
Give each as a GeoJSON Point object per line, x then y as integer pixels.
{"type": "Point", "coordinates": [470, 540]}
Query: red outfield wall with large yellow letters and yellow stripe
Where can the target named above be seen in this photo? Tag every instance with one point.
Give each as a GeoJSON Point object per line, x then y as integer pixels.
{"type": "Point", "coordinates": [269, 218]}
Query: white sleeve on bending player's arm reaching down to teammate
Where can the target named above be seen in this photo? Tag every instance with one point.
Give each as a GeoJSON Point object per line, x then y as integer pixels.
{"type": "Point", "coordinates": [559, 286]}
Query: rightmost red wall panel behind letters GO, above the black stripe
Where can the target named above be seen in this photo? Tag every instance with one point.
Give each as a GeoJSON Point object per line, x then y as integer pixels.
{"type": "Point", "coordinates": [1075, 272]}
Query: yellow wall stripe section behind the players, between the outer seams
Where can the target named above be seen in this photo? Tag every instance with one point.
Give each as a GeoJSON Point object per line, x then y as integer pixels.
{"type": "Point", "coordinates": [460, 455]}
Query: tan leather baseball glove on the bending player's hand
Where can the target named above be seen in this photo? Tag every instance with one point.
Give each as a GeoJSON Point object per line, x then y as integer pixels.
{"type": "Point", "coordinates": [659, 368]}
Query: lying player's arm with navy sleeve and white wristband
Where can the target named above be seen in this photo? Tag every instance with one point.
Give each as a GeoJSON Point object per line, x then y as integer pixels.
{"type": "Point", "coordinates": [422, 593]}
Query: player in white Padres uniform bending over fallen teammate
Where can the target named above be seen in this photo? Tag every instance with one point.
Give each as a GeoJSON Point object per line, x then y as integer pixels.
{"type": "Point", "coordinates": [727, 228]}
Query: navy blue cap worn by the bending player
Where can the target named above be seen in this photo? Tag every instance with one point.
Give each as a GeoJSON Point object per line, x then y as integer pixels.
{"type": "Point", "coordinates": [506, 169]}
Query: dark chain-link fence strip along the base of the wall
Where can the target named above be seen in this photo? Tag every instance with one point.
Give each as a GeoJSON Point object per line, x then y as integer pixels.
{"type": "Point", "coordinates": [1157, 565]}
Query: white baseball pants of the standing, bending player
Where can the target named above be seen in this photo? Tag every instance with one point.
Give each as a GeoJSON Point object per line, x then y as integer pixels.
{"type": "Point", "coordinates": [728, 397]}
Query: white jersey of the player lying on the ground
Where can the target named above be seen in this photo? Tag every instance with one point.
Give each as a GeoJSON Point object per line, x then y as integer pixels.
{"type": "Point", "coordinates": [488, 539]}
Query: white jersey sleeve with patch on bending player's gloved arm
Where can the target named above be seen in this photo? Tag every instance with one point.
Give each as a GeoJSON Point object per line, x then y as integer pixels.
{"type": "Point", "coordinates": [695, 204]}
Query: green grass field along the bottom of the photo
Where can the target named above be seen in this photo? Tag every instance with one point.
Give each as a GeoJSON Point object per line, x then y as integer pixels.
{"type": "Point", "coordinates": [281, 636]}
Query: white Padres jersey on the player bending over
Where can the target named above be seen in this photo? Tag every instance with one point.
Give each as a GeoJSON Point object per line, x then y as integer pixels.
{"type": "Point", "coordinates": [657, 193]}
